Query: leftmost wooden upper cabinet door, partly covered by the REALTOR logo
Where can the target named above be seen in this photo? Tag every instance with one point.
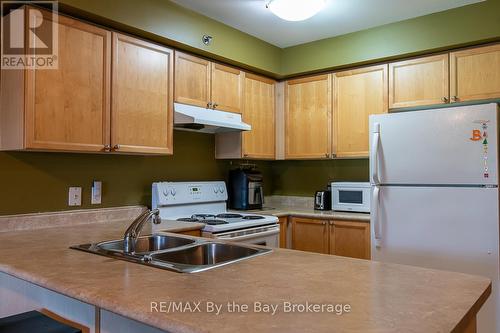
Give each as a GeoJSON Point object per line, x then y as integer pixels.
{"type": "Point", "coordinates": [68, 108]}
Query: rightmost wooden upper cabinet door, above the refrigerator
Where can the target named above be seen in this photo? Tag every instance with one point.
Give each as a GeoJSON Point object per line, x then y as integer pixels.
{"type": "Point", "coordinates": [475, 74]}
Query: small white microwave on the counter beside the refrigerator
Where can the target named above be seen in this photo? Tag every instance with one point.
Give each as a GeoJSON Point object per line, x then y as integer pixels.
{"type": "Point", "coordinates": [351, 197]}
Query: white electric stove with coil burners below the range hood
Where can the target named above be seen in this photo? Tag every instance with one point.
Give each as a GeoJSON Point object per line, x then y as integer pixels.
{"type": "Point", "coordinates": [205, 202]}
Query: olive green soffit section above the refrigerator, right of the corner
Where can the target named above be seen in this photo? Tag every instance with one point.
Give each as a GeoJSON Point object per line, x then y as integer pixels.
{"type": "Point", "coordinates": [456, 27]}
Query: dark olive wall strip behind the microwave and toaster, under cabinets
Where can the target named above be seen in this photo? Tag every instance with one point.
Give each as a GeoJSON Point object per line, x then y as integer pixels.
{"type": "Point", "coordinates": [303, 178]}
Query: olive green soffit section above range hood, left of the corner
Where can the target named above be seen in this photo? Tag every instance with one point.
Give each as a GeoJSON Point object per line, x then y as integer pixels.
{"type": "Point", "coordinates": [169, 23]}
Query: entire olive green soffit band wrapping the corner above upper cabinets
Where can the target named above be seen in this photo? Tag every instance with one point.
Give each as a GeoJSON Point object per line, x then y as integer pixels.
{"type": "Point", "coordinates": [167, 22]}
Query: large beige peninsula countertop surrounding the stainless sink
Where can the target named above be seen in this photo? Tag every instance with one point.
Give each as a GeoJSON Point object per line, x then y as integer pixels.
{"type": "Point", "coordinates": [382, 297]}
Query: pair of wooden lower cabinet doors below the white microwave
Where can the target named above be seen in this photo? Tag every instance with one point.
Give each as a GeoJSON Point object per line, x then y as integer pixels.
{"type": "Point", "coordinates": [342, 238]}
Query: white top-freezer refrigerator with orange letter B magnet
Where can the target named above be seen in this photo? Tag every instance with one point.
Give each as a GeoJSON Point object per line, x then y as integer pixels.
{"type": "Point", "coordinates": [435, 200]}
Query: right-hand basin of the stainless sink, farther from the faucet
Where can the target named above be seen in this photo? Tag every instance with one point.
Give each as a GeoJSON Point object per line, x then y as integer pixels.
{"type": "Point", "coordinates": [206, 254]}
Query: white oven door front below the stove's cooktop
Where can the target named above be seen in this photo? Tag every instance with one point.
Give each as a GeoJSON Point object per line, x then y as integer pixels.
{"type": "Point", "coordinates": [263, 235]}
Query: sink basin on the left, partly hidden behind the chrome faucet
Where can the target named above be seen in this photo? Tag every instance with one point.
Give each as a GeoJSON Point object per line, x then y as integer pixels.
{"type": "Point", "coordinates": [147, 244]}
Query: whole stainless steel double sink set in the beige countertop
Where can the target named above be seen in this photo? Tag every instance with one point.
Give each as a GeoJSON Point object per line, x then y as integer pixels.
{"type": "Point", "coordinates": [176, 253]}
